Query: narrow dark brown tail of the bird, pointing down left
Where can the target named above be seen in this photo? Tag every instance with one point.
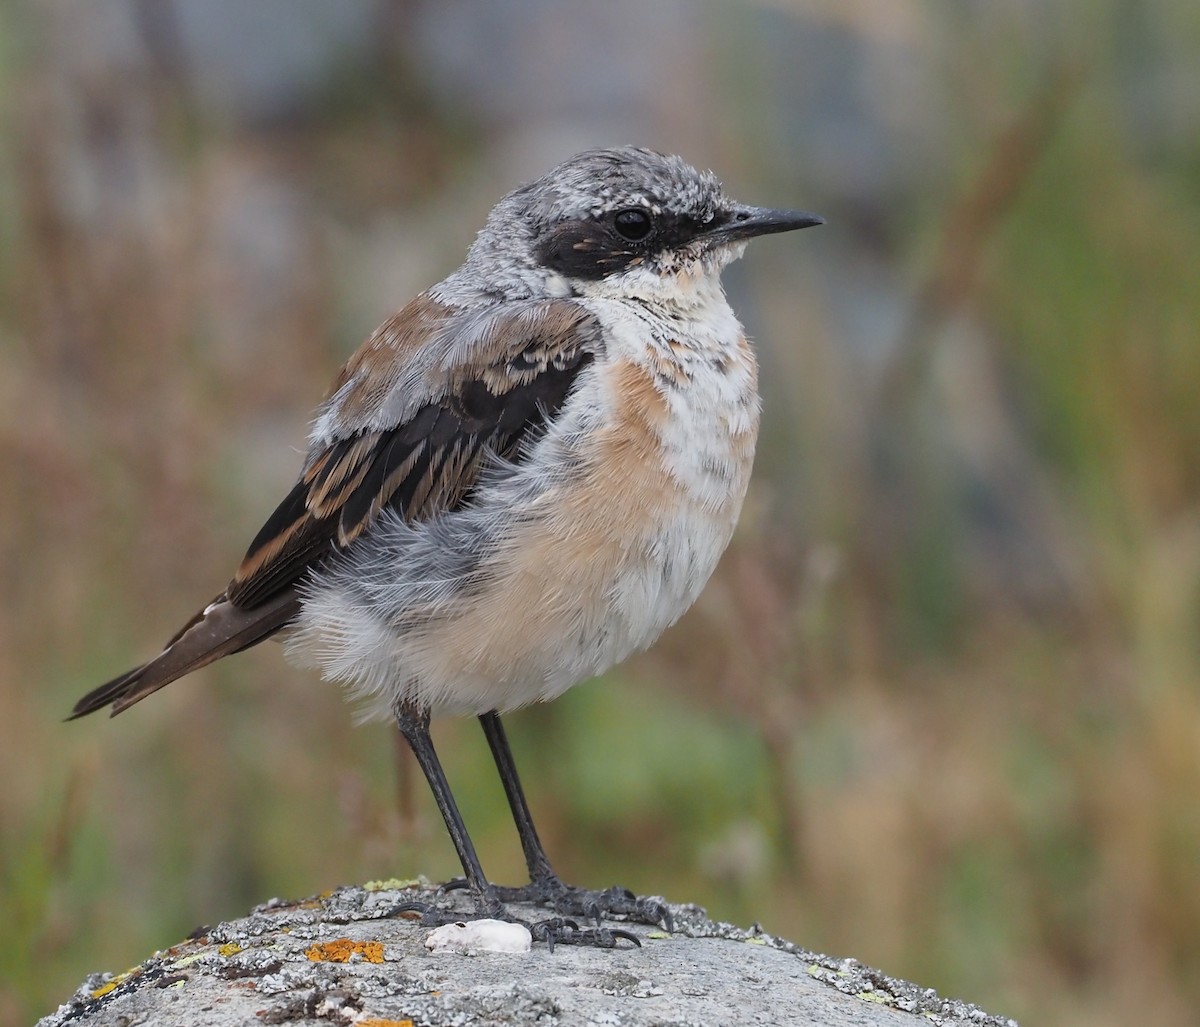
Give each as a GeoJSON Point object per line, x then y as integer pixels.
{"type": "Point", "coordinates": [217, 632]}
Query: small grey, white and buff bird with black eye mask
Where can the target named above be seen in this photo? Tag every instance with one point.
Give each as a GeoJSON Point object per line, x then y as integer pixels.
{"type": "Point", "coordinates": [520, 479]}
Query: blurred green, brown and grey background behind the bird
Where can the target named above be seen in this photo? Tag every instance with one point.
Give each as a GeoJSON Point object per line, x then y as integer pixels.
{"type": "Point", "coordinates": [940, 707]}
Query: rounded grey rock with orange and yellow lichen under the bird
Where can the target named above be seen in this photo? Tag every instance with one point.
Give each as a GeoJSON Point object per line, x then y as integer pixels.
{"type": "Point", "coordinates": [341, 959]}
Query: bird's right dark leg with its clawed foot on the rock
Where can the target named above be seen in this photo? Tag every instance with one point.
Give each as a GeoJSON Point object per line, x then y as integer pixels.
{"type": "Point", "coordinates": [545, 886]}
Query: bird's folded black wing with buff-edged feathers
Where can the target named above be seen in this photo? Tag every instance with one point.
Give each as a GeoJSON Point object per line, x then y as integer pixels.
{"type": "Point", "coordinates": [521, 368]}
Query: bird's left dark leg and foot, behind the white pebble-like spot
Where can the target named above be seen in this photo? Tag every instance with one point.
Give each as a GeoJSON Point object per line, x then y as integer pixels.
{"type": "Point", "coordinates": [415, 725]}
